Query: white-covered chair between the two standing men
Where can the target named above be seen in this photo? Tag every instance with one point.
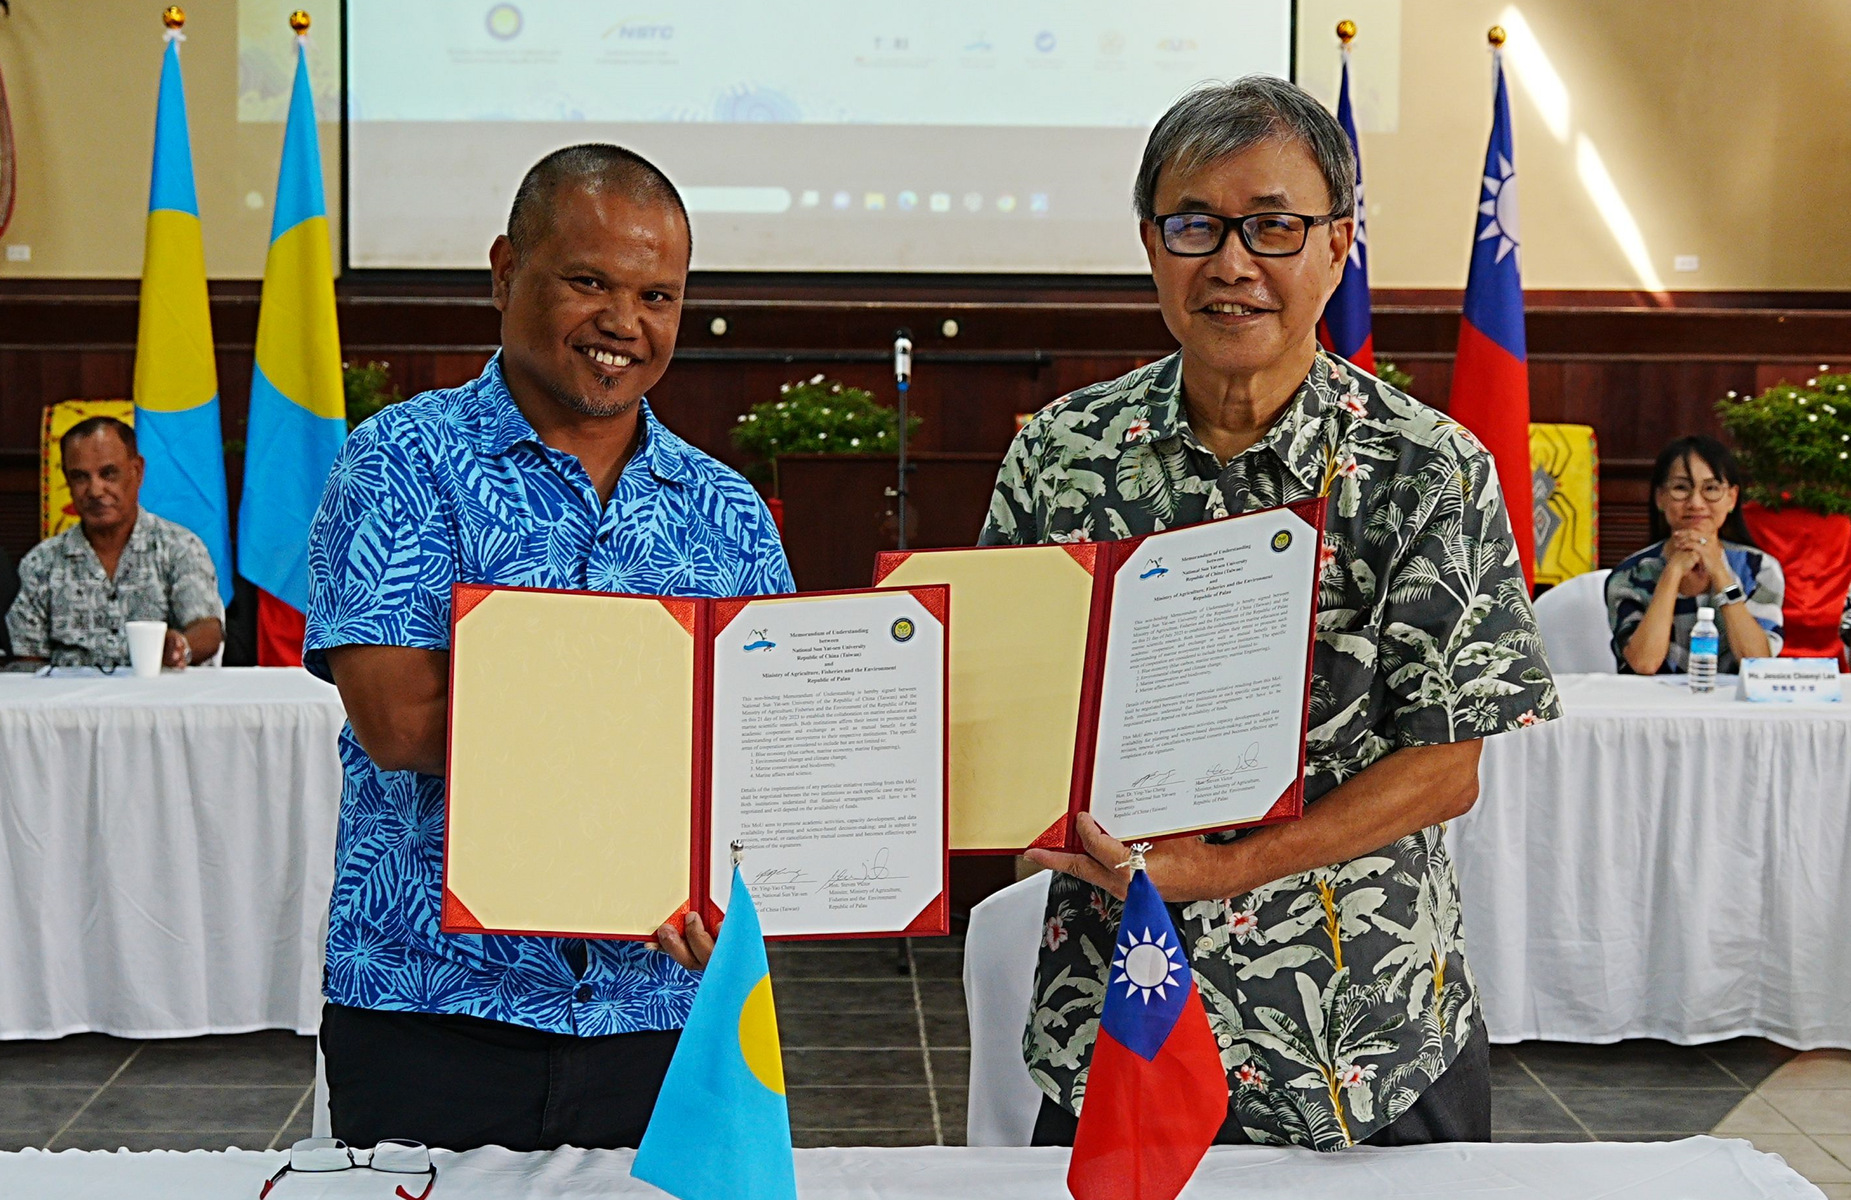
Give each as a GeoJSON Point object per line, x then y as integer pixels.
{"type": "Point", "coordinates": [1000, 951]}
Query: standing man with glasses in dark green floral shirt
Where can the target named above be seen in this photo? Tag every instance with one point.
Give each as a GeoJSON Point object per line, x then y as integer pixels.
{"type": "Point", "coordinates": [1328, 951]}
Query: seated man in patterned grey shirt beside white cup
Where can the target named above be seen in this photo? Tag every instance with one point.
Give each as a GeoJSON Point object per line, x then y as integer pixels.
{"type": "Point", "coordinates": [119, 564]}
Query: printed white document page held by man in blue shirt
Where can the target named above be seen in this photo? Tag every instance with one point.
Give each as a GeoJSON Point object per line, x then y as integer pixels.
{"type": "Point", "coordinates": [828, 768]}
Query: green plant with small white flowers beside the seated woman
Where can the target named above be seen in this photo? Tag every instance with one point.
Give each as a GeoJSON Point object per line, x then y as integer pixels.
{"type": "Point", "coordinates": [1795, 444]}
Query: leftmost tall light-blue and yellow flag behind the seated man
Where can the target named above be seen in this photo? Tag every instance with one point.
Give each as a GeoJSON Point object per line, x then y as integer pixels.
{"type": "Point", "coordinates": [177, 382]}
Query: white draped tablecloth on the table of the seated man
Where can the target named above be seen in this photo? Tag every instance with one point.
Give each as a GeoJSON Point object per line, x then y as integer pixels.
{"type": "Point", "coordinates": [166, 851]}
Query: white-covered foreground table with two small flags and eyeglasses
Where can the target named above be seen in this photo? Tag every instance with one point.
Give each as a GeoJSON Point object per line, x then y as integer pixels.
{"type": "Point", "coordinates": [1693, 1169]}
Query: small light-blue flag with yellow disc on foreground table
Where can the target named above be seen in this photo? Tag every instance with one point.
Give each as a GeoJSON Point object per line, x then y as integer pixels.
{"type": "Point", "coordinates": [721, 1127]}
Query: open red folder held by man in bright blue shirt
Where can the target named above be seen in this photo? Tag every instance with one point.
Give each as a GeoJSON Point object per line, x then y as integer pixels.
{"type": "Point", "coordinates": [608, 751]}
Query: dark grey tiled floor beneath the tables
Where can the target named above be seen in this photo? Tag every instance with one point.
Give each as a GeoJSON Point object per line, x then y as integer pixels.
{"type": "Point", "coordinates": [878, 1055]}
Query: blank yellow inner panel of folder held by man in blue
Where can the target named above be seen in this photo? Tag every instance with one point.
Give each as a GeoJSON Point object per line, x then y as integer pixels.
{"type": "Point", "coordinates": [571, 764]}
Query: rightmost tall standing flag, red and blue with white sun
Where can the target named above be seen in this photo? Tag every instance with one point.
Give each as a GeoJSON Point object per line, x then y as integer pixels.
{"type": "Point", "coordinates": [1491, 375]}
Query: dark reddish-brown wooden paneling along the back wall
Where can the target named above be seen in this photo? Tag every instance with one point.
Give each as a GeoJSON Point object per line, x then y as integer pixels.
{"type": "Point", "coordinates": [1637, 373]}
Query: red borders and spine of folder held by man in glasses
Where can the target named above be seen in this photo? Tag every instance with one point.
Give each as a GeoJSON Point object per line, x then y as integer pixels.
{"type": "Point", "coordinates": [1104, 562]}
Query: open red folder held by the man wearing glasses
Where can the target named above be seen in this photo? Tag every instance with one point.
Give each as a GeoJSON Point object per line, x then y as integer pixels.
{"type": "Point", "coordinates": [1158, 682]}
